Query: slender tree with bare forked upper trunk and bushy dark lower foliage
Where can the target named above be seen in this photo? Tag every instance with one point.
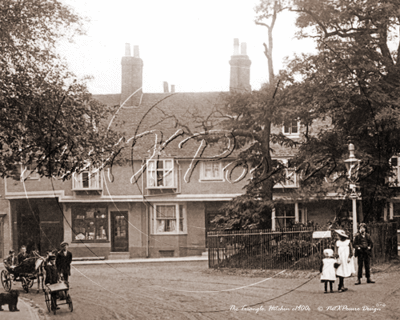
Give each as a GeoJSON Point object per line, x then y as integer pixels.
{"type": "Point", "coordinates": [250, 116]}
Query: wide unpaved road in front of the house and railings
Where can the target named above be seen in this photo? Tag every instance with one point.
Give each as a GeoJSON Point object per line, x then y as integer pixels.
{"type": "Point", "coordinates": [189, 290]}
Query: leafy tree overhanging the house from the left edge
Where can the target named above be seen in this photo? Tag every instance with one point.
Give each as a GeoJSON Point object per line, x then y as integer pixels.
{"type": "Point", "coordinates": [47, 118]}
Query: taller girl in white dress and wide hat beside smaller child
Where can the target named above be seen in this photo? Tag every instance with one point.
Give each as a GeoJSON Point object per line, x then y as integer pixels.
{"type": "Point", "coordinates": [345, 251]}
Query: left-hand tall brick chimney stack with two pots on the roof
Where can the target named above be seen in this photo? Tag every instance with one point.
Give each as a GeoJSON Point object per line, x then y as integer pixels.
{"type": "Point", "coordinates": [132, 76]}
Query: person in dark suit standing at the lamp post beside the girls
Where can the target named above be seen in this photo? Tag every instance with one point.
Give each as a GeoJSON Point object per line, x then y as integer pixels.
{"type": "Point", "coordinates": [363, 245]}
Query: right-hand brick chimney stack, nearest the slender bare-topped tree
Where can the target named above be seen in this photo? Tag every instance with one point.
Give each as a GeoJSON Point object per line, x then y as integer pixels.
{"type": "Point", "coordinates": [240, 68]}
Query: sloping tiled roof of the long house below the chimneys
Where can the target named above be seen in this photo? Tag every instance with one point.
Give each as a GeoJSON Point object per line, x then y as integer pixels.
{"type": "Point", "coordinates": [164, 112]}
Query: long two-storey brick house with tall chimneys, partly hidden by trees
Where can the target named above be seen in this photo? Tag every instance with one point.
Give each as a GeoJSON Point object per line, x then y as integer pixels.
{"type": "Point", "coordinates": [156, 201]}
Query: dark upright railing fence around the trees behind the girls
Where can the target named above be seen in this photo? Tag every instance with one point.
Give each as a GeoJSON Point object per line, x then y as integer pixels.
{"type": "Point", "coordinates": [287, 248]}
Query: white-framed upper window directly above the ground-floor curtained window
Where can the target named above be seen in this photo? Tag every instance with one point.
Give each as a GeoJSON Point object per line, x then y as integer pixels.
{"type": "Point", "coordinates": [160, 174]}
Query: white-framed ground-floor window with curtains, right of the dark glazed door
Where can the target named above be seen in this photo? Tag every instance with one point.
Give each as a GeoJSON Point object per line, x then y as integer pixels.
{"type": "Point", "coordinates": [179, 208]}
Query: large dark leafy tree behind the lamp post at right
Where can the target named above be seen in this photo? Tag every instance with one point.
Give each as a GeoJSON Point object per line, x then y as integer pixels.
{"type": "Point", "coordinates": [354, 81]}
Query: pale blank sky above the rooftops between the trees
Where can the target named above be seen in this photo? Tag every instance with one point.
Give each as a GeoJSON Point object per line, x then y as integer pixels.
{"type": "Point", "coordinates": [184, 42]}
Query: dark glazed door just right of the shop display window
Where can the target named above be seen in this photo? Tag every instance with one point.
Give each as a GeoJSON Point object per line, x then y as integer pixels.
{"type": "Point", "coordinates": [119, 231]}
